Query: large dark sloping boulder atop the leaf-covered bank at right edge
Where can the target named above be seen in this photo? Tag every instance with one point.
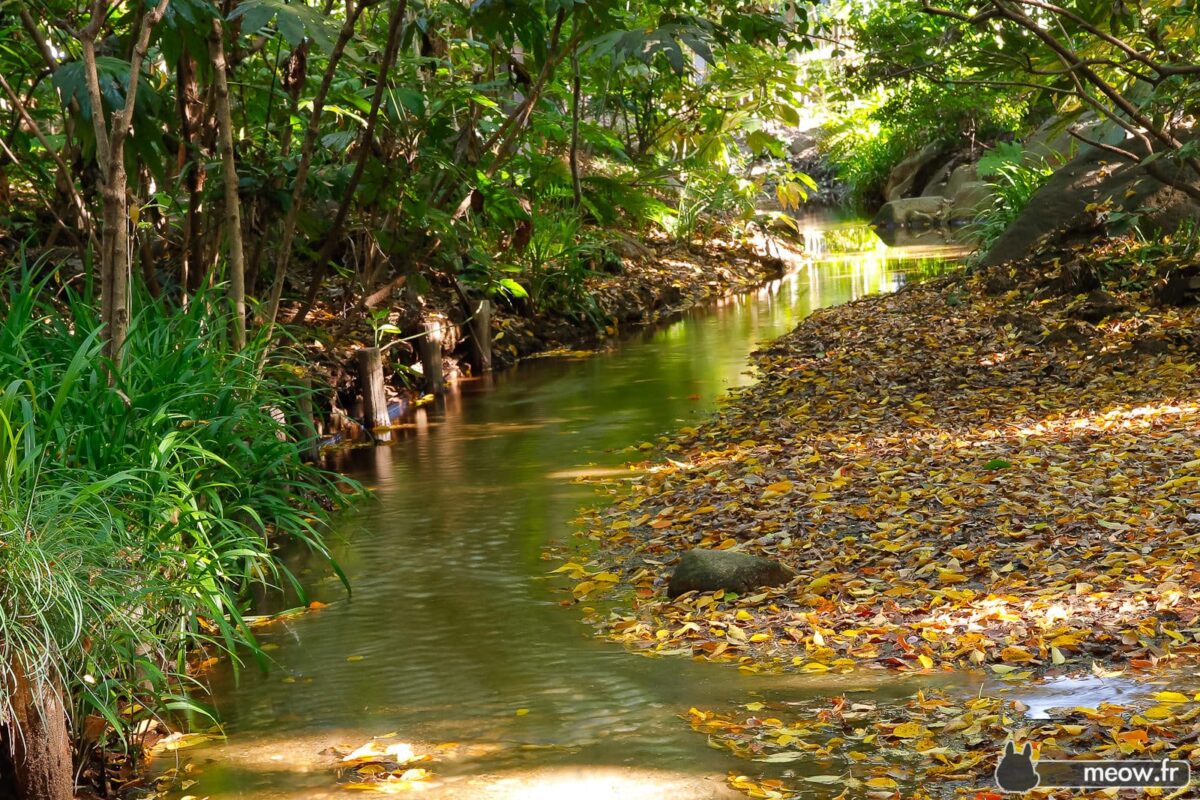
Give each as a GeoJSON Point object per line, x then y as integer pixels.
{"type": "Point", "coordinates": [1060, 209]}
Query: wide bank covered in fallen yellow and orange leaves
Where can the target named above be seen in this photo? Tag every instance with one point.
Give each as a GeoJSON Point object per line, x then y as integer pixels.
{"type": "Point", "coordinates": [992, 471]}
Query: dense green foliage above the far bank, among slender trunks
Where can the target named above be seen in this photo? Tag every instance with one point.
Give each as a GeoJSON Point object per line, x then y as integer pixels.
{"type": "Point", "coordinates": [668, 92]}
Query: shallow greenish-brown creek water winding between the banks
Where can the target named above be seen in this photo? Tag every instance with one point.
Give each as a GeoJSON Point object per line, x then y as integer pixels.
{"type": "Point", "coordinates": [454, 636]}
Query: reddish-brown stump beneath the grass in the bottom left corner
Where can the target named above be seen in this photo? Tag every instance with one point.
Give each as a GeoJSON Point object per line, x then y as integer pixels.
{"type": "Point", "coordinates": [35, 743]}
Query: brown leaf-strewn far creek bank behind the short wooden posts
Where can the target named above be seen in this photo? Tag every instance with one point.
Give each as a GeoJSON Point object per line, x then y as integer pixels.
{"type": "Point", "coordinates": [657, 281]}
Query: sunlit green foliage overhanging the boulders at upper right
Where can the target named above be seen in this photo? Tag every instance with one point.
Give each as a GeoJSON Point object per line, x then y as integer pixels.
{"type": "Point", "coordinates": [976, 71]}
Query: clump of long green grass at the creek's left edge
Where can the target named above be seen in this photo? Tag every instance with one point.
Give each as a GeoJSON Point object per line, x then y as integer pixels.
{"type": "Point", "coordinates": [140, 507]}
